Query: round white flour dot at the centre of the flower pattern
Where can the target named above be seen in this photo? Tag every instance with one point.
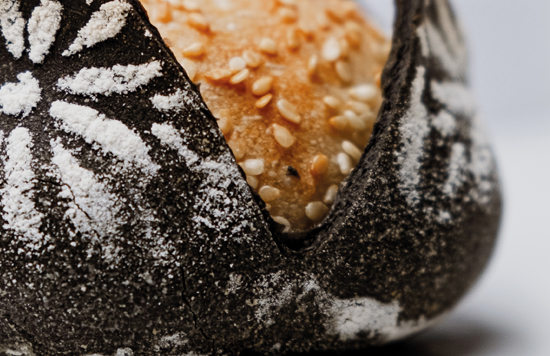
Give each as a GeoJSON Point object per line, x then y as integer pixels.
{"type": "Point", "coordinates": [20, 98]}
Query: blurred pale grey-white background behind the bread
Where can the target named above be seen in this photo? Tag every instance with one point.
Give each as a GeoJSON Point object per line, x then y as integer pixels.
{"type": "Point", "coordinates": [508, 312]}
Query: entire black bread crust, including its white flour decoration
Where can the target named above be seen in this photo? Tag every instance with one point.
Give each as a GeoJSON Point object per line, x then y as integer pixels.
{"type": "Point", "coordinates": [127, 228]}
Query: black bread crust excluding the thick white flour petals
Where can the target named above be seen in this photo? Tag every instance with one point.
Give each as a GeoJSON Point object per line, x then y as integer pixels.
{"type": "Point", "coordinates": [204, 292]}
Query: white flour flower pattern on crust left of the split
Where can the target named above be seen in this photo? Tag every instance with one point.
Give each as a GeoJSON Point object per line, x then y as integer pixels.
{"type": "Point", "coordinates": [92, 208]}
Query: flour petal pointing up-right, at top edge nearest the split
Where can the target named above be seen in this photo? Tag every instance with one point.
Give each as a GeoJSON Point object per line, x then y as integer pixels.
{"type": "Point", "coordinates": [104, 24]}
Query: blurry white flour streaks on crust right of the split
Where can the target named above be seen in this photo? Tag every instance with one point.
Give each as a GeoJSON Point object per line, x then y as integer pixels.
{"type": "Point", "coordinates": [447, 48]}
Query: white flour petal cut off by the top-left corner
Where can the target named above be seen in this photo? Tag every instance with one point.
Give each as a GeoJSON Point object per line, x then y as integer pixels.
{"type": "Point", "coordinates": [13, 27]}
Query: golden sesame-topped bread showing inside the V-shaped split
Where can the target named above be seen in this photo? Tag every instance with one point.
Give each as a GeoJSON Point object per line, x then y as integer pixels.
{"type": "Point", "coordinates": [294, 85]}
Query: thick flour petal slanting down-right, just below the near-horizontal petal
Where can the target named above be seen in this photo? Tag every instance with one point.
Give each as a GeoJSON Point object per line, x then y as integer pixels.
{"type": "Point", "coordinates": [109, 135]}
